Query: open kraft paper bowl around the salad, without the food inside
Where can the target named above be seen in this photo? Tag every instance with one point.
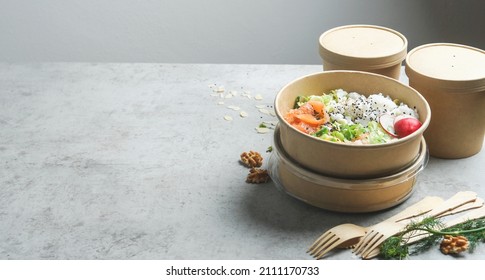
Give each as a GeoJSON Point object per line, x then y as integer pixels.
{"type": "Point", "coordinates": [342, 159]}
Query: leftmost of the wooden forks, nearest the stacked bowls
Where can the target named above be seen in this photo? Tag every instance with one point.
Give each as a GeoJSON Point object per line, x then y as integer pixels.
{"type": "Point", "coordinates": [346, 235]}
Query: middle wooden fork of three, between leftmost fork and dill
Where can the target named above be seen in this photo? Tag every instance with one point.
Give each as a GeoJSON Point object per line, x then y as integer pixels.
{"type": "Point", "coordinates": [380, 232]}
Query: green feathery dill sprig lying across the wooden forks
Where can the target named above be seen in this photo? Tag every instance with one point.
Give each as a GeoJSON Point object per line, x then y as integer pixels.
{"type": "Point", "coordinates": [401, 247]}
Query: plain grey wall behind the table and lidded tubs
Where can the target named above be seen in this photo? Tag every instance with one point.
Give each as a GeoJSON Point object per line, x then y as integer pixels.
{"type": "Point", "coordinates": [217, 31]}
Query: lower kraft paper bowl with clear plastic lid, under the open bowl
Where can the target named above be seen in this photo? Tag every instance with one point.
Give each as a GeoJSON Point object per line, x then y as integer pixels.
{"type": "Point", "coordinates": [343, 195]}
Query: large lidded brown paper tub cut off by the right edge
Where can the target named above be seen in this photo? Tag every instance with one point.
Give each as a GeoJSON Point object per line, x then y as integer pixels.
{"type": "Point", "coordinates": [452, 79]}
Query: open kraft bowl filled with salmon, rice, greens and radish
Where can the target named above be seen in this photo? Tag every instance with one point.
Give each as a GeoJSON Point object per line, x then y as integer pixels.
{"type": "Point", "coordinates": [351, 124]}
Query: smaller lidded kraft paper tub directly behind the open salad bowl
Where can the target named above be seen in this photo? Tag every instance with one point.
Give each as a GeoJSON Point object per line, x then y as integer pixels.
{"type": "Point", "coordinates": [367, 48]}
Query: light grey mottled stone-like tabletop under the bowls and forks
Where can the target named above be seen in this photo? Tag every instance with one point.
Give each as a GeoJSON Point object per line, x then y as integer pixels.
{"type": "Point", "coordinates": [136, 161]}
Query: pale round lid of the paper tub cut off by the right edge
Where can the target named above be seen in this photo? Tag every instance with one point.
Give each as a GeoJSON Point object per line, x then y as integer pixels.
{"type": "Point", "coordinates": [448, 66]}
